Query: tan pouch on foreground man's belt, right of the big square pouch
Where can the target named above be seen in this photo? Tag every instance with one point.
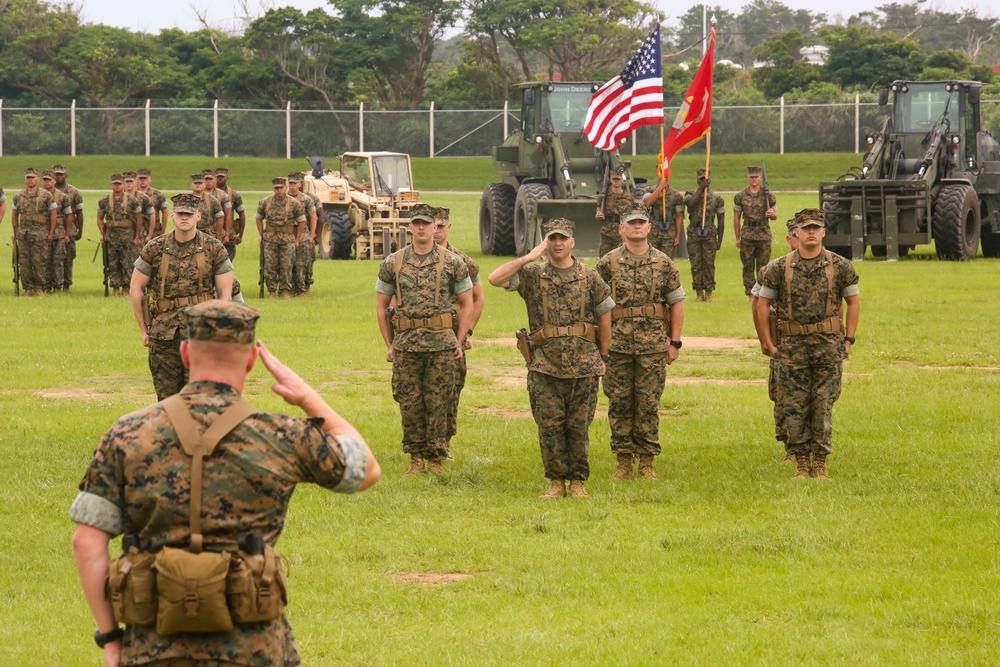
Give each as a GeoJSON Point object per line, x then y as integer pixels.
{"type": "Point", "coordinates": [256, 587]}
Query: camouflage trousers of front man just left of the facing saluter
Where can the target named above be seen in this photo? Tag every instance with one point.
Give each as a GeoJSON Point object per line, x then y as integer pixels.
{"type": "Point", "coordinates": [423, 384]}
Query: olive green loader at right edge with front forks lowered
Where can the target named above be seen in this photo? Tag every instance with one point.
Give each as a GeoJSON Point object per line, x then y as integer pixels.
{"type": "Point", "coordinates": [931, 173]}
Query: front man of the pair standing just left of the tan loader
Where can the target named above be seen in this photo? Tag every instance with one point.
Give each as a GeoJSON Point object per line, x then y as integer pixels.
{"type": "Point", "coordinates": [286, 219]}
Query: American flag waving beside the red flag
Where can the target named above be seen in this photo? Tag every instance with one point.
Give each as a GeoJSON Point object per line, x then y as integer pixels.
{"type": "Point", "coordinates": [630, 100]}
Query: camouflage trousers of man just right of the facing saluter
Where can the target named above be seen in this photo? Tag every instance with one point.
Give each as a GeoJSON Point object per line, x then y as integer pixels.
{"type": "Point", "coordinates": [633, 384]}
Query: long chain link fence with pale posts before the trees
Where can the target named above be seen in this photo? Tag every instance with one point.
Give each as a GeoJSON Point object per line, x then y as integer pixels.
{"type": "Point", "coordinates": [148, 127]}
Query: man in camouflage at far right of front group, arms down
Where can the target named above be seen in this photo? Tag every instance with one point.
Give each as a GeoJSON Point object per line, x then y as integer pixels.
{"type": "Point", "coordinates": [812, 342]}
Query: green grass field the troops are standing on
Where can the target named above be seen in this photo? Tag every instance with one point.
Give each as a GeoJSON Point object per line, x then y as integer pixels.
{"type": "Point", "coordinates": [723, 560]}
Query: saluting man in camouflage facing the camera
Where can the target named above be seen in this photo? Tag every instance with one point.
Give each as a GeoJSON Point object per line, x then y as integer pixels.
{"type": "Point", "coordinates": [569, 315]}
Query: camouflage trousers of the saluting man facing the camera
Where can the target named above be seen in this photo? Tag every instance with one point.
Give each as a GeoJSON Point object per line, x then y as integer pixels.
{"type": "Point", "coordinates": [563, 409]}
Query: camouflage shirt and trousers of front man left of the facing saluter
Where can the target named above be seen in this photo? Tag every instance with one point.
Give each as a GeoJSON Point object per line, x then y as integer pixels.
{"type": "Point", "coordinates": [423, 367]}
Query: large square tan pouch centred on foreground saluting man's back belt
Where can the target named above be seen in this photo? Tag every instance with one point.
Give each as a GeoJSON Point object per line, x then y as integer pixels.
{"type": "Point", "coordinates": [191, 591]}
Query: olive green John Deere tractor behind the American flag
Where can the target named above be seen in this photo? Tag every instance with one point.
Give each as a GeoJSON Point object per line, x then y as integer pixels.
{"type": "Point", "coordinates": [548, 169]}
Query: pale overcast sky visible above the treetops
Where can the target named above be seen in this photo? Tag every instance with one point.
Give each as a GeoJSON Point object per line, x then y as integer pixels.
{"type": "Point", "coordinates": [152, 16]}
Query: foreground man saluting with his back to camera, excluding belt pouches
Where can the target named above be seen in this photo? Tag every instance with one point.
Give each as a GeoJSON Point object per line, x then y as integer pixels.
{"type": "Point", "coordinates": [139, 483]}
